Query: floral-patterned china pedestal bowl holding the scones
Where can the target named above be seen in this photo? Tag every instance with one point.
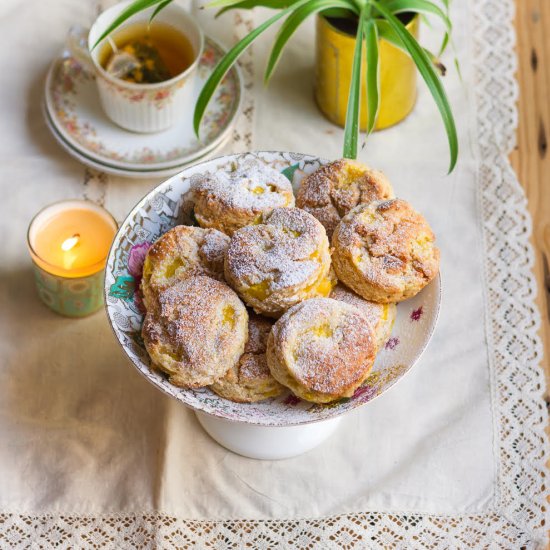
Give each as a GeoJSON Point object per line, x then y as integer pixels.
{"type": "Point", "coordinates": [274, 428]}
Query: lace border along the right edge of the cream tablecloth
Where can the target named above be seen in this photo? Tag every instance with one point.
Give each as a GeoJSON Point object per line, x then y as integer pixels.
{"type": "Point", "coordinates": [516, 349]}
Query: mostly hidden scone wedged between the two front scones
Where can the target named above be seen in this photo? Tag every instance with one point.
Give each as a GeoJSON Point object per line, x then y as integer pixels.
{"type": "Point", "coordinates": [250, 379]}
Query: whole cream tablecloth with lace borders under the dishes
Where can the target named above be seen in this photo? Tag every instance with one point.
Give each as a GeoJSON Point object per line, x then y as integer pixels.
{"type": "Point", "coordinates": [453, 457]}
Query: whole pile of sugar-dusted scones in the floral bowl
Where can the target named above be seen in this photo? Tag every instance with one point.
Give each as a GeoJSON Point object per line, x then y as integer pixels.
{"type": "Point", "coordinates": [274, 292]}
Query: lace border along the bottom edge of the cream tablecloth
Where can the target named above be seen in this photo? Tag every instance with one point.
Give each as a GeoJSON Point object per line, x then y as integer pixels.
{"type": "Point", "coordinates": [396, 531]}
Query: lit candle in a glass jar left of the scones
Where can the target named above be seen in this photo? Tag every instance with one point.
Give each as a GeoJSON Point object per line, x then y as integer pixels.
{"type": "Point", "coordinates": [69, 242]}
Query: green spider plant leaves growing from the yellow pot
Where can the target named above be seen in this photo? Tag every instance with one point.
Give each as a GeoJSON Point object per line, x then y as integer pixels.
{"type": "Point", "coordinates": [376, 19]}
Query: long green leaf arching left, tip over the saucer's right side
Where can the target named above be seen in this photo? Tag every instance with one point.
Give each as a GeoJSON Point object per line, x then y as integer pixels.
{"type": "Point", "coordinates": [227, 61]}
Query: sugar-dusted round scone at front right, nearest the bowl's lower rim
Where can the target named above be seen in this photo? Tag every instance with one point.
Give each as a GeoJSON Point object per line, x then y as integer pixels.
{"type": "Point", "coordinates": [321, 349]}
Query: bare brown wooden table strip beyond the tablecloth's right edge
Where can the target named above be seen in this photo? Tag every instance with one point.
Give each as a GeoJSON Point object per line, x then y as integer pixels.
{"type": "Point", "coordinates": [531, 158]}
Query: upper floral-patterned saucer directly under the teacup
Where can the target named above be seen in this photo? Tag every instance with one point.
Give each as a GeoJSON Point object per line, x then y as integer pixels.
{"type": "Point", "coordinates": [74, 111]}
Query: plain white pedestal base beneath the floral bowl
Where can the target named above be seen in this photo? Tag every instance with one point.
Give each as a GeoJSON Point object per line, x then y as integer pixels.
{"type": "Point", "coordinates": [266, 442]}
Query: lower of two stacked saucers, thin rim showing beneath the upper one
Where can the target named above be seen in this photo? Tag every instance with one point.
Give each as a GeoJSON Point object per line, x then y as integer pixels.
{"type": "Point", "coordinates": [141, 173]}
